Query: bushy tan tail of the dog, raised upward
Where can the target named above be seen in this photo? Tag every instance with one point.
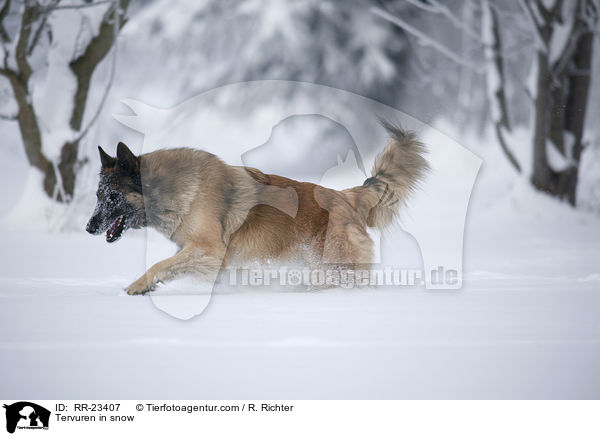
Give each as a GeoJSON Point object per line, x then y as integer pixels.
{"type": "Point", "coordinates": [397, 172]}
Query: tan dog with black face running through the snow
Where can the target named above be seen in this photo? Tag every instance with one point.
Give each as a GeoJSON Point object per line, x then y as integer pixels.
{"type": "Point", "coordinates": [218, 214]}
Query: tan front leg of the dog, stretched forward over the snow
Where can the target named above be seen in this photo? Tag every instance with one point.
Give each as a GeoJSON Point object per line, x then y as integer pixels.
{"type": "Point", "coordinates": [190, 260]}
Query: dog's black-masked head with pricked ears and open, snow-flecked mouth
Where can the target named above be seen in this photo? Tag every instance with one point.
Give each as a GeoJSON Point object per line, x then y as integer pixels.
{"type": "Point", "coordinates": [120, 204]}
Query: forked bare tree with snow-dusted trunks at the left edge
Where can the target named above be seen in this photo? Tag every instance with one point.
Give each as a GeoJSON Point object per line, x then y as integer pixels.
{"type": "Point", "coordinates": [50, 51]}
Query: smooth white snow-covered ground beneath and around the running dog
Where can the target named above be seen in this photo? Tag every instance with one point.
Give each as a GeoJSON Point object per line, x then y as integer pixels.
{"type": "Point", "coordinates": [525, 324]}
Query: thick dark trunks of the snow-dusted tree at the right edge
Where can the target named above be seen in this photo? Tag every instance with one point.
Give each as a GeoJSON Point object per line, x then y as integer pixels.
{"type": "Point", "coordinates": [564, 35]}
